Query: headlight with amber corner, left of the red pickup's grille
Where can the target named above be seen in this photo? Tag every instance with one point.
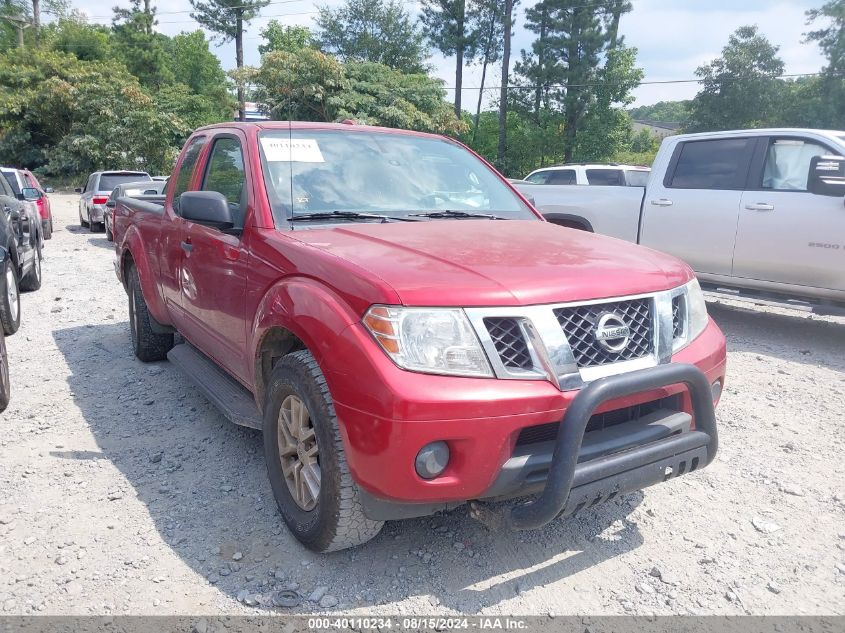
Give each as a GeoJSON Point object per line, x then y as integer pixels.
{"type": "Point", "coordinates": [430, 340]}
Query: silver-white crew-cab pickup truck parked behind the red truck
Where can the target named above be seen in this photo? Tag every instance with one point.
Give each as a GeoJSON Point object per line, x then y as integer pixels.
{"type": "Point", "coordinates": [761, 212]}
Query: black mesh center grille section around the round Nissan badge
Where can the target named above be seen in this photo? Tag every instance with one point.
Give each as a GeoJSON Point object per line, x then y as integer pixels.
{"type": "Point", "coordinates": [579, 325]}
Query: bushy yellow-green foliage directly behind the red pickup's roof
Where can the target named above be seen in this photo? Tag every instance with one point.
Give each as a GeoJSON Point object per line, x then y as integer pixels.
{"type": "Point", "coordinates": [312, 86]}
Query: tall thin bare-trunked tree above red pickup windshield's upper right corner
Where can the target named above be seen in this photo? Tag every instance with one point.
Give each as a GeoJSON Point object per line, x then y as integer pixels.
{"type": "Point", "coordinates": [446, 24]}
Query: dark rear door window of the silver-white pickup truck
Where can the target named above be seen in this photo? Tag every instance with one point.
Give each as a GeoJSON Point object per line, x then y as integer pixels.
{"type": "Point", "coordinates": [716, 164]}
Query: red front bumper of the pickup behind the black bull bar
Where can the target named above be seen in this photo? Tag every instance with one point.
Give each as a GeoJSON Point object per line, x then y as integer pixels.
{"type": "Point", "coordinates": [480, 419]}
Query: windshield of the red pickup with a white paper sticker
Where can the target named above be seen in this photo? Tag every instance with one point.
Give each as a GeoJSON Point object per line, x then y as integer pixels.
{"type": "Point", "coordinates": [325, 171]}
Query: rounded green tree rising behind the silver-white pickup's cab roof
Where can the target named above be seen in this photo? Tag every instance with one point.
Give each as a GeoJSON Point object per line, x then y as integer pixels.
{"type": "Point", "coordinates": [740, 89]}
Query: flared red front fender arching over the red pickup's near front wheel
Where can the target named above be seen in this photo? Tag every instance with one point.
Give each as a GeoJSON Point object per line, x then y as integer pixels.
{"type": "Point", "coordinates": [309, 310]}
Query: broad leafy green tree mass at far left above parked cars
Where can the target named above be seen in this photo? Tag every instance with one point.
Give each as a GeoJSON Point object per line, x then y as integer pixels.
{"type": "Point", "coordinates": [72, 117]}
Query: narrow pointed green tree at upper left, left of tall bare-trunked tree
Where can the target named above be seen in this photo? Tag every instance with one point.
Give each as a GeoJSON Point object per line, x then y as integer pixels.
{"type": "Point", "coordinates": [139, 48]}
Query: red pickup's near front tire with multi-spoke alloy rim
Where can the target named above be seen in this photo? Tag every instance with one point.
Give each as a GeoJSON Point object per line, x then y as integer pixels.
{"type": "Point", "coordinates": [306, 462]}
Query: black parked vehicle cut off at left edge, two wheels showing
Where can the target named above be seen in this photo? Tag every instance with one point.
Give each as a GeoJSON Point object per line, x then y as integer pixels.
{"type": "Point", "coordinates": [20, 248]}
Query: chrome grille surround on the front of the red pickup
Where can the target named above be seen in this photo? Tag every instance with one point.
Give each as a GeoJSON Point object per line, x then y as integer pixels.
{"type": "Point", "coordinates": [552, 356]}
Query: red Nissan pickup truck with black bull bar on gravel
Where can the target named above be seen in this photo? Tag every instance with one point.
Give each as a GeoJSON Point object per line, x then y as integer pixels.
{"type": "Point", "coordinates": [409, 334]}
